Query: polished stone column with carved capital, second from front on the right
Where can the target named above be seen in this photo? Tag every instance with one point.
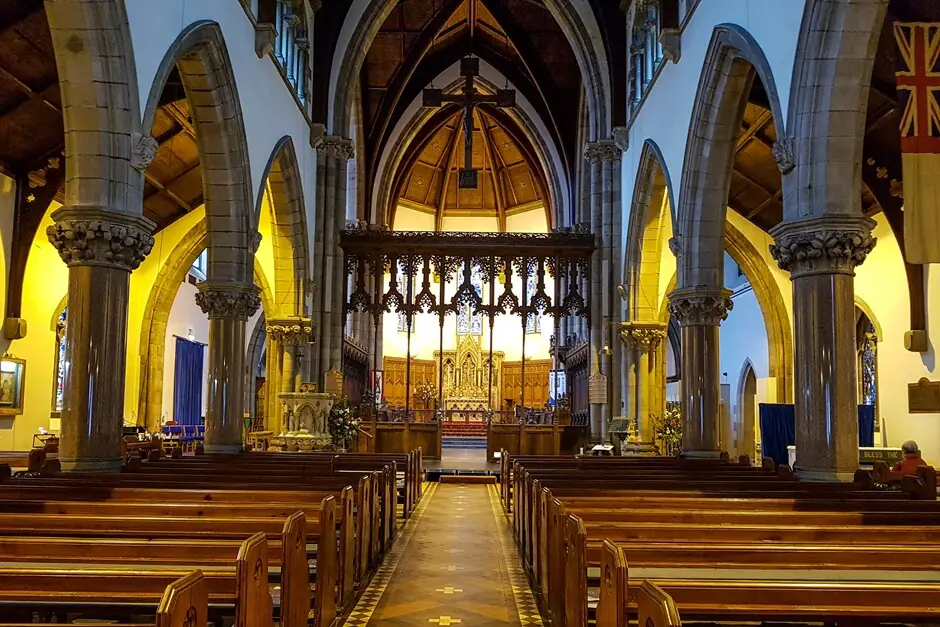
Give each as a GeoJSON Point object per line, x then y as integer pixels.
{"type": "Point", "coordinates": [699, 312]}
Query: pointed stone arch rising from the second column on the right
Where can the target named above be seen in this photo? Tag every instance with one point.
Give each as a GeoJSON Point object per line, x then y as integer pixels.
{"type": "Point", "coordinates": [733, 60]}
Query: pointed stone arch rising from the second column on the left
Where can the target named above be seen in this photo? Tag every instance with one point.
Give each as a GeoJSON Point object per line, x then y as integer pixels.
{"type": "Point", "coordinates": [201, 57]}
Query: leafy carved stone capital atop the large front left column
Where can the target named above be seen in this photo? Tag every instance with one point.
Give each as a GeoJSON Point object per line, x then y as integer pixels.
{"type": "Point", "coordinates": [96, 237]}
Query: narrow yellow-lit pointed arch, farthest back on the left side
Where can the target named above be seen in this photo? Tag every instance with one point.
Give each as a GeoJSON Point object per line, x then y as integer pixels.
{"type": "Point", "coordinates": [288, 228]}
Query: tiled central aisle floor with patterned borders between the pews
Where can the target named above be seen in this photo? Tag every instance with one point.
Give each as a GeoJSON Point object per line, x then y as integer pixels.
{"type": "Point", "coordinates": [455, 563]}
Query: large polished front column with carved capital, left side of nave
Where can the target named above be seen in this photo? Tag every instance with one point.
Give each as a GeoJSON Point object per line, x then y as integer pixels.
{"type": "Point", "coordinates": [101, 248]}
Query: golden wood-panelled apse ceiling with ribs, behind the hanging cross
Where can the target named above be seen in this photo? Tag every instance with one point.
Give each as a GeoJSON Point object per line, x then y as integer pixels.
{"type": "Point", "coordinates": [510, 177]}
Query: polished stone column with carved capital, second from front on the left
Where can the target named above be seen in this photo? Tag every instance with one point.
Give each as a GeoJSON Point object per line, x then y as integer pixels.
{"type": "Point", "coordinates": [228, 306]}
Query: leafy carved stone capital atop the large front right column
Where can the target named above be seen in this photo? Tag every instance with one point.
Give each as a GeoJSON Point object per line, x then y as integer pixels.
{"type": "Point", "coordinates": [828, 245]}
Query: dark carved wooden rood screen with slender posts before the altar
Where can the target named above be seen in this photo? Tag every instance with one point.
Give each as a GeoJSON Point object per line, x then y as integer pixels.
{"type": "Point", "coordinates": [420, 264]}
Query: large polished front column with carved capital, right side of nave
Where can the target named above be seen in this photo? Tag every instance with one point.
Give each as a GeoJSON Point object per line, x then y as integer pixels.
{"type": "Point", "coordinates": [821, 255]}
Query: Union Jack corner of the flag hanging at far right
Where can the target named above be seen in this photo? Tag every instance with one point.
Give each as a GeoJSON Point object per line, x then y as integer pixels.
{"type": "Point", "coordinates": [918, 85]}
